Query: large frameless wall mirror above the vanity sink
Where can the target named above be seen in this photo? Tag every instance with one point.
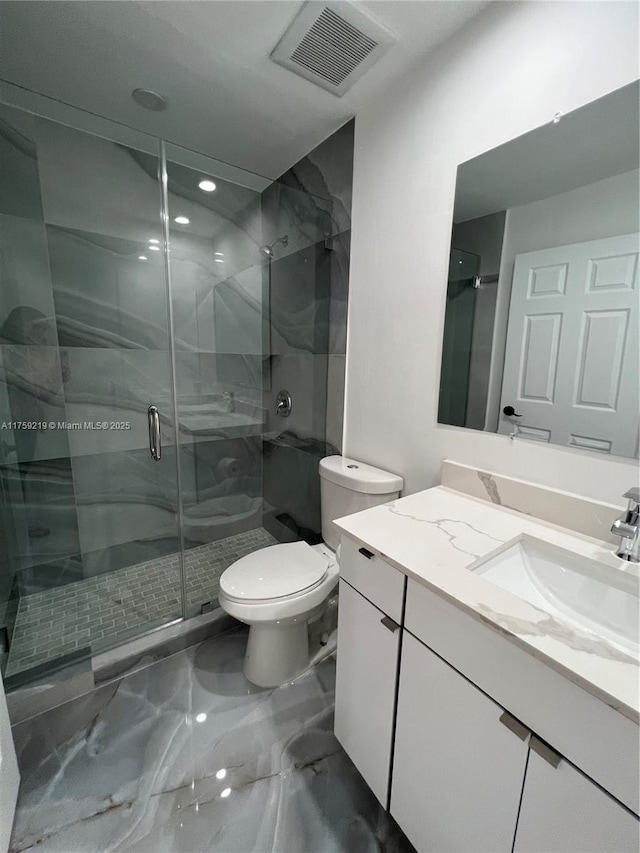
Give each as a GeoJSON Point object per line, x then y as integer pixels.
{"type": "Point", "coordinates": [541, 334]}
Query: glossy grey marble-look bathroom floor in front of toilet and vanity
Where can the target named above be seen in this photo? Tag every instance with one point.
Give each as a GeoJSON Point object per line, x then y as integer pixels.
{"type": "Point", "coordinates": [186, 756]}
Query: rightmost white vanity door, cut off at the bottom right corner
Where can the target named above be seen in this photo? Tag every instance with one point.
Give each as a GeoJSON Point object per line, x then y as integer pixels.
{"type": "Point", "coordinates": [563, 811]}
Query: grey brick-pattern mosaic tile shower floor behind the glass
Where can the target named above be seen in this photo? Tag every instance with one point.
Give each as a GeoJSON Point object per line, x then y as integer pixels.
{"type": "Point", "coordinates": [99, 611]}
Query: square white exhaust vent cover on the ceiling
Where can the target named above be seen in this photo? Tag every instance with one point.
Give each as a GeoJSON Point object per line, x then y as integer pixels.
{"type": "Point", "coordinates": [332, 45]}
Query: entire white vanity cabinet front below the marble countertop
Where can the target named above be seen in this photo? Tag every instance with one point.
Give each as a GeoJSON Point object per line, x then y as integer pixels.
{"type": "Point", "coordinates": [420, 709]}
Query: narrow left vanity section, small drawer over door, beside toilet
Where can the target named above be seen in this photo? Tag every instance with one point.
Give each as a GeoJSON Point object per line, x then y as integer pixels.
{"type": "Point", "coordinates": [367, 663]}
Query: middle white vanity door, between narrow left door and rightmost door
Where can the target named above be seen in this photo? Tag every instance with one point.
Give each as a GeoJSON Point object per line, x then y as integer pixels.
{"type": "Point", "coordinates": [458, 763]}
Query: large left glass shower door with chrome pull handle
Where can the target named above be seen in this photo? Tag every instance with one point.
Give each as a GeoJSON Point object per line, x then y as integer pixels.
{"type": "Point", "coordinates": [91, 520]}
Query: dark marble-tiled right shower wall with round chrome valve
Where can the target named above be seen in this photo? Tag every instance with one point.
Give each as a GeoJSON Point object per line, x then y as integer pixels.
{"type": "Point", "coordinates": [308, 287]}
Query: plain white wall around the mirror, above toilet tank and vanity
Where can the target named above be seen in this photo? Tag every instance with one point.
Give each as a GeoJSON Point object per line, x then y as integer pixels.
{"type": "Point", "coordinates": [507, 73]}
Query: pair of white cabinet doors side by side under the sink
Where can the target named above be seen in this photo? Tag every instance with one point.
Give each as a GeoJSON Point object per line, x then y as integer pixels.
{"type": "Point", "coordinates": [461, 765]}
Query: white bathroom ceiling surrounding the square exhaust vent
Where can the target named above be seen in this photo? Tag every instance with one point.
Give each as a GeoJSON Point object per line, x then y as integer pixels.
{"type": "Point", "coordinates": [210, 59]}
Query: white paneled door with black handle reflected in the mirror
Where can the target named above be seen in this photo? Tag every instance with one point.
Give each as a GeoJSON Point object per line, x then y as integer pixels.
{"type": "Point", "coordinates": [571, 360]}
